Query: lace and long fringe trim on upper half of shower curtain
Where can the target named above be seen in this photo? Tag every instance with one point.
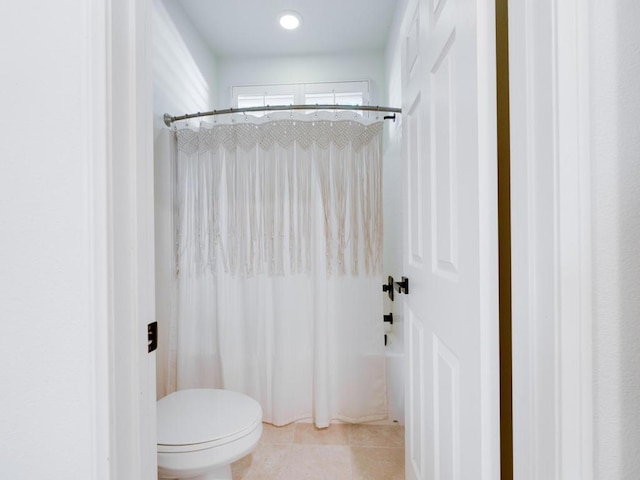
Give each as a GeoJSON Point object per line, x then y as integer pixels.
{"type": "Point", "coordinates": [244, 195]}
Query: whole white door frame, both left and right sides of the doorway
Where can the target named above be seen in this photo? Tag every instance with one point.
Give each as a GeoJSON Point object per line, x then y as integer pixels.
{"type": "Point", "coordinates": [117, 389]}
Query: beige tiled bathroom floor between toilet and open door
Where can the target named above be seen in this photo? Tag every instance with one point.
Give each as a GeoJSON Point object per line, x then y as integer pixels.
{"type": "Point", "coordinates": [341, 452]}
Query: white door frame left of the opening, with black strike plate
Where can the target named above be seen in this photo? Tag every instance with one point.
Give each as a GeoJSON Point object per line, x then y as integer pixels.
{"type": "Point", "coordinates": [120, 183]}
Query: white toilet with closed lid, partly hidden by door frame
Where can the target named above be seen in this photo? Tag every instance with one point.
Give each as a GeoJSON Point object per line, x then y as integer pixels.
{"type": "Point", "coordinates": [202, 431]}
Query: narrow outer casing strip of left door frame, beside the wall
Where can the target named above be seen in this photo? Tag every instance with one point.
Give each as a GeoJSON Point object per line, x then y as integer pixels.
{"type": "Point", "coordinates": [101, 321]}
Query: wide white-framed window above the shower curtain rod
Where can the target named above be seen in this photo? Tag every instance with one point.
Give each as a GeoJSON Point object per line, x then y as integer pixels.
{"type": "Point", "coordinates": [343, 93]}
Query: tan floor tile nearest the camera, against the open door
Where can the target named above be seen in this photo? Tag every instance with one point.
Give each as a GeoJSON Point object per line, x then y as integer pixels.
{"type": "Point", "coordinates": [377, 463]}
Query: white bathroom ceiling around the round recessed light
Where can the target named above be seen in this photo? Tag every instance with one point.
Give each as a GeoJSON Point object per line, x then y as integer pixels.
{"type": "Point", "coordinates": [244, 28]}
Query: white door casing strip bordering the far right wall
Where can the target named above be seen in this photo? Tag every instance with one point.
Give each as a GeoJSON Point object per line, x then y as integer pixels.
{"type": "Point", "coordinates": [574, 243]}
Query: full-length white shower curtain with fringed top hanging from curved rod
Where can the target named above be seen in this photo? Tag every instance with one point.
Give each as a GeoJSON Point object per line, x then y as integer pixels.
{"type": "Point", "coordinates": [278, 257]}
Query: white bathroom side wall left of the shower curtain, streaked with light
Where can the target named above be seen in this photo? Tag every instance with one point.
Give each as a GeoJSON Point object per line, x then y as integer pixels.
{"type": "Point", "coordinates": [184, 81]}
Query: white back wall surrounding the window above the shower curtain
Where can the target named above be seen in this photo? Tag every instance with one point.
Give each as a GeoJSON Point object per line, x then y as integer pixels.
{"type": "Point", "coordinates": [302, 69]}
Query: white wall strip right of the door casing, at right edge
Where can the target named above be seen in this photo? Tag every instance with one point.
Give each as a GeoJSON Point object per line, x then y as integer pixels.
{"type": "Point", "coordinates": [615, 133]}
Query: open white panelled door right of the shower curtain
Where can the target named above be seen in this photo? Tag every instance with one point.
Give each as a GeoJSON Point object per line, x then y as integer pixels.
{"type": "Point", "coordinates": [449, 451]}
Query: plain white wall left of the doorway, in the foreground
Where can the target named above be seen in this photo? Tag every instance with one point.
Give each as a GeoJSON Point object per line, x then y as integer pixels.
{"type": "Point", "coordinates": [48, 414]}
